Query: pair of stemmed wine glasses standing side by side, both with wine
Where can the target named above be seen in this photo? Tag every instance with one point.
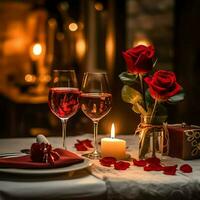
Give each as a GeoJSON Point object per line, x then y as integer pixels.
{"type": "Point", "coordinates": [65, 98]}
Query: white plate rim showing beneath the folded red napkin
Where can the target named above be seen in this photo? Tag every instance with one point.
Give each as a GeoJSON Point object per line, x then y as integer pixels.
{"type": "Point", "coordinates": [86, 163]}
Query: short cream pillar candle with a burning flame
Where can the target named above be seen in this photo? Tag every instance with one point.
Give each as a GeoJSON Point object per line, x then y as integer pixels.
{"type": "Point", "coordinates": [113, 147]}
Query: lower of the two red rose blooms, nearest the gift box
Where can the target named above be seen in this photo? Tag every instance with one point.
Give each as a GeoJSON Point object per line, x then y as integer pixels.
{"type": "Point", "coordinates": [163, 85]}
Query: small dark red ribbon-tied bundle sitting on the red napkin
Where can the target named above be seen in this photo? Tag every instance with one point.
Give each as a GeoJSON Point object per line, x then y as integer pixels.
{"type": "Point", "coordinates": [42, 152]}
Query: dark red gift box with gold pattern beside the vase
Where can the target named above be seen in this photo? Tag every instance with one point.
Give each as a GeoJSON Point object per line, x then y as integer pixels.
{"type": "Point", "coordinates": [184, 141]}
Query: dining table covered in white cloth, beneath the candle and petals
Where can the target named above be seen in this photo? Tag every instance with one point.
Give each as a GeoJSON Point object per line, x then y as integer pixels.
{"type": "Point", "coordinates": [91, 180]}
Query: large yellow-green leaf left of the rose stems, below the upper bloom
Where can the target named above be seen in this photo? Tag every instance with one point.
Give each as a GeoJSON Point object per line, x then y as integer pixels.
{"type": "Point", "coordinates": [130, 95]}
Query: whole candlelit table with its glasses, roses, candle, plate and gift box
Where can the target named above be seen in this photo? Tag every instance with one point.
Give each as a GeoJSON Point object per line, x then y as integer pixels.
{"type": "Point", "coordinates": [160, 161]}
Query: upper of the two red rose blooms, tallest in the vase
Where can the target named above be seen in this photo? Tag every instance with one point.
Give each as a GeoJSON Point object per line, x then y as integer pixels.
{"type": "Point", "coordinates": [139, 59]}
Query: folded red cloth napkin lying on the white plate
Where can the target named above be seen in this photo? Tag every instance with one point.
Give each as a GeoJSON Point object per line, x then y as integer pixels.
{"type": "Point", "coordinates": [24, 162]}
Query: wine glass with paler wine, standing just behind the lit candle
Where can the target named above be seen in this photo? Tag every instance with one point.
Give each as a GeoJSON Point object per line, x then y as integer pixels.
{"type": "Point", "coordinates": [96, 102]}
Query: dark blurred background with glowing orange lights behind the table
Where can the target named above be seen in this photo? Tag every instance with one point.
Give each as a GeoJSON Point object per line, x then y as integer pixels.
{"type": "Point", "coordinates": [37, 36]}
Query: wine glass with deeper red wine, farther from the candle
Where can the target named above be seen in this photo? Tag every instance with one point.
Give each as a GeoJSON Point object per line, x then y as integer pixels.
{"type": "Point", "coordinates": [64, 97]}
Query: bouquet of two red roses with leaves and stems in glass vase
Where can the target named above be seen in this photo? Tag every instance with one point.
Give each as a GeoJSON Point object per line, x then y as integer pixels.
{"type": "Point", "coordinates": [147, 89]}
